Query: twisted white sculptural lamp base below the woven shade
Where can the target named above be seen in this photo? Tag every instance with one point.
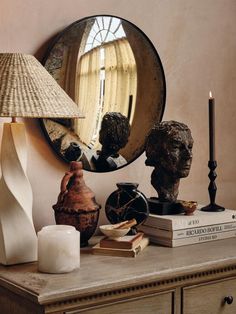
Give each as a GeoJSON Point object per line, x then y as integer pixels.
{"type": "Point", "coordinates": [18, 240]}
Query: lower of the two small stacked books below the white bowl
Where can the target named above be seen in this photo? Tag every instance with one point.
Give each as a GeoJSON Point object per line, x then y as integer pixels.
{"type": "Point", "coordinates": [122, 252]}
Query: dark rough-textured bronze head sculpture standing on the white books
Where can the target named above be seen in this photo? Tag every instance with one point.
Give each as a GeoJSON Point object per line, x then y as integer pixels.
{"type": "Point", "coordinates": [169, 151]}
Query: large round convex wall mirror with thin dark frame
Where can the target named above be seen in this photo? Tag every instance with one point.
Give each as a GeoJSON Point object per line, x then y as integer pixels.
{"type": "Point", "coordinates": [110, 68]}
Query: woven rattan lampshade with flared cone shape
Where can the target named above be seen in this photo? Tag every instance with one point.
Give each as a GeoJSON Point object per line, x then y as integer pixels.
{"type": "Point", "coordinates": [28, 90]}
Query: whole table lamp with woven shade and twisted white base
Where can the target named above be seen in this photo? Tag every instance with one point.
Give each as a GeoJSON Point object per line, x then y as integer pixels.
{"type": "Point", "coordinates": [26, 90]}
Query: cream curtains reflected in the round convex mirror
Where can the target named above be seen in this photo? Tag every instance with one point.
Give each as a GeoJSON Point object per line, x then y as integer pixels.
{"type": "Point", "coordinates": [106, 82]}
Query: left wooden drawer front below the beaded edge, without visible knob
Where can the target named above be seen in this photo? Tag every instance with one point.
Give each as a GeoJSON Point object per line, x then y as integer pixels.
{"type": "Point", "coordinates": [157, 303]}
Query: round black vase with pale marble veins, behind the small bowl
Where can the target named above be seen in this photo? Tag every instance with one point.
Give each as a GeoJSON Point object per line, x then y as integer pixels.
{"type": "Point", "coordinates": [126, 203]}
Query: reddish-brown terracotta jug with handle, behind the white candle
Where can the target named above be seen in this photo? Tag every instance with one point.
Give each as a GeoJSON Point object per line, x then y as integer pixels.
{"type": "Point", "coordinates": [76, 204]}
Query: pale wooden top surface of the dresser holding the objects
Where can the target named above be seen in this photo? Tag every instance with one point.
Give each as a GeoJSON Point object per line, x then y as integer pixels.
{"type": "Point", "coordinates": [100, 273]}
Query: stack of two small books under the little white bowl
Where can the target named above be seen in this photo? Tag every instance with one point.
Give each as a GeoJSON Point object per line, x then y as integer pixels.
{"type": "Point", "coordinates": [127, 246]}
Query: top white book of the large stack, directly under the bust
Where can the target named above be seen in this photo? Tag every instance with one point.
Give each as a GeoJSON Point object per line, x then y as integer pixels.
{"type": "Point", "coordinates": [199, 219]}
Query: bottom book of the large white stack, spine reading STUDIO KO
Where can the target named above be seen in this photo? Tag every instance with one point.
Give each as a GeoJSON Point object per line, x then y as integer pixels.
{"type": "Point", "coordinates": [192, 240]}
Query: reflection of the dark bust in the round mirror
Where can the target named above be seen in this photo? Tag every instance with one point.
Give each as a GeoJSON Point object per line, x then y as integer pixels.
{"type": "Point", "coordinates": [113, 135]}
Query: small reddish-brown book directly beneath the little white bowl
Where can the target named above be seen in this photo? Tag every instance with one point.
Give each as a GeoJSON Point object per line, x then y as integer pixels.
{"type": "Point", "coordinates": [126, 242]}
